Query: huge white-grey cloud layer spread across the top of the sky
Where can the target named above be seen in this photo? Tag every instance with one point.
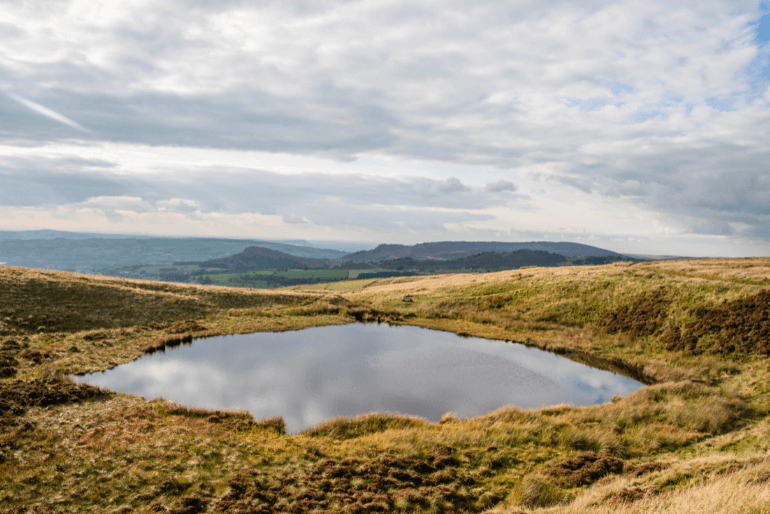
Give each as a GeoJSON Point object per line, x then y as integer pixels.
{"type": "Point", "coordinates": [458, 88]}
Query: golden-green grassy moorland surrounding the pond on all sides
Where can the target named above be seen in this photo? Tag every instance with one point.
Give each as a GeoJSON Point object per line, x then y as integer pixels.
{"type": "Point", "coordinates": [696, 439]}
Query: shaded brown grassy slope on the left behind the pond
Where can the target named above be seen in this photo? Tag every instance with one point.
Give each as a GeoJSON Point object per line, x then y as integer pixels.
{"type": "Point", "coordinates": [40, 302]}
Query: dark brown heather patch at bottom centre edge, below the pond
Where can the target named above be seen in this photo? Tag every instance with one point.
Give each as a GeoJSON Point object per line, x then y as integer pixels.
{"type": "Point", "coordinates": [388, 482]}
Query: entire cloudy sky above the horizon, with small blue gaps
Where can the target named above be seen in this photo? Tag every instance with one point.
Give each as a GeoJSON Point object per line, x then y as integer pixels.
{"type": "Point", "coordinates": [635, 126]}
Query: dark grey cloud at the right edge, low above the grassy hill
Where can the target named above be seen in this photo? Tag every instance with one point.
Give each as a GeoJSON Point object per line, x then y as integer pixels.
{"type": "Point", "coordinates": [666, 178]}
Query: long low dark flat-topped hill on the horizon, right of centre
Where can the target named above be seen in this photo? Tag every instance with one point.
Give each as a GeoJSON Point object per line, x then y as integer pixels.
{"type": "Point", "coordinates": [461, 249]}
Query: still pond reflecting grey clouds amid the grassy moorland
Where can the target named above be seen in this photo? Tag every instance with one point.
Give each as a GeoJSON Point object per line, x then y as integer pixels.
{"type": "Point", "coordinates": [311, 375]}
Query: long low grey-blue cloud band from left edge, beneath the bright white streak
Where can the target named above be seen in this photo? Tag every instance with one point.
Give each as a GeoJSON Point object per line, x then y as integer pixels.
{"type": "Point", "coordinates": [346, 202]}
